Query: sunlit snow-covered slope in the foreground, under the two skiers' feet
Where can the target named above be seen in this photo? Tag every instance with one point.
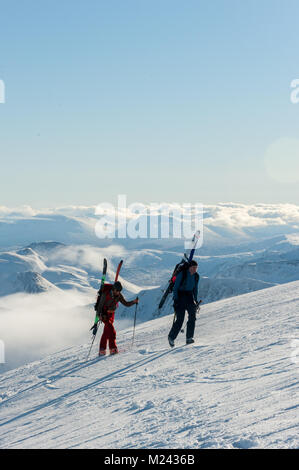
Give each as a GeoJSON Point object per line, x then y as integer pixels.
{"type": "Point", "coordinates": [236, 387]}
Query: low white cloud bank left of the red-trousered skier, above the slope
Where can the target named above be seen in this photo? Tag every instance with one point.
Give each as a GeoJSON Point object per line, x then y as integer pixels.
{"type": "Point", "coordinates": [33, 326]}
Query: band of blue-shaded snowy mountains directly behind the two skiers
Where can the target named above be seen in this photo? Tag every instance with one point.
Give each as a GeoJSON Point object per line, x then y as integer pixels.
{"type": "Point", "coordinates": [51, 265]}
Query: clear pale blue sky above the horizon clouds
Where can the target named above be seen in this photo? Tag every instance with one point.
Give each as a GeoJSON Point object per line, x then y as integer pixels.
{"type": "Point", "coordinates": [167, 100]}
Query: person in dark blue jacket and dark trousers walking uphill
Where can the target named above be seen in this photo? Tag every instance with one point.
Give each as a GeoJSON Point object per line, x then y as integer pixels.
{"type": "Point", "coordinates": [185, 298]}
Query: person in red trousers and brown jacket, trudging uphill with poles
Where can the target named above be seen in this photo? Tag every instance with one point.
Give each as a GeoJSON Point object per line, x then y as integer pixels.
{"type": "Point", "coordinates": [108, 303]}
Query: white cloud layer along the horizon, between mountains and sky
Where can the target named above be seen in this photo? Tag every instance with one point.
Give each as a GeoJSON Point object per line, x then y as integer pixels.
{"type": "Point", "coordinates": [227, 222]}
